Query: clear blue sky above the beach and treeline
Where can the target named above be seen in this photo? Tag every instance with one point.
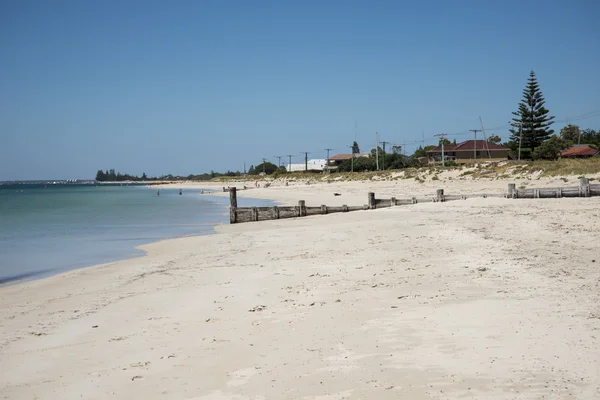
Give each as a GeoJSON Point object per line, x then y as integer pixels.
{"type": "Point", "coordinates": [188, 86]}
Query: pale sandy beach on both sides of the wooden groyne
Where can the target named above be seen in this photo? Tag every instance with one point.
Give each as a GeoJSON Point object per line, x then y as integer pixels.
{"type": "Point", "coordinates": [480, 298]}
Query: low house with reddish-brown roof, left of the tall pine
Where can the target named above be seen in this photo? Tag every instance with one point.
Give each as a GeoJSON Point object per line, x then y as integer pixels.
{"type": "Point", "coordinates": [469, 151]}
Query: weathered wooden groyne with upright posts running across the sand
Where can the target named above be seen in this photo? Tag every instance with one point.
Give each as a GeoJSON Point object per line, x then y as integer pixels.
{"type": "Point", "coordinates": [250, 214]}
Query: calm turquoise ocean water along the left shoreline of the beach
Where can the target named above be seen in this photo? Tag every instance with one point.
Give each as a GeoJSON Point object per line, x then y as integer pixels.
{"type": "Point", "coordinates": [53, 228]}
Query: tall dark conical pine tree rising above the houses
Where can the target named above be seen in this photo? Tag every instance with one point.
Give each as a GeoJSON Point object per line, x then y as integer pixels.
{"type": "Point", "coordinates": [533, 116]}
